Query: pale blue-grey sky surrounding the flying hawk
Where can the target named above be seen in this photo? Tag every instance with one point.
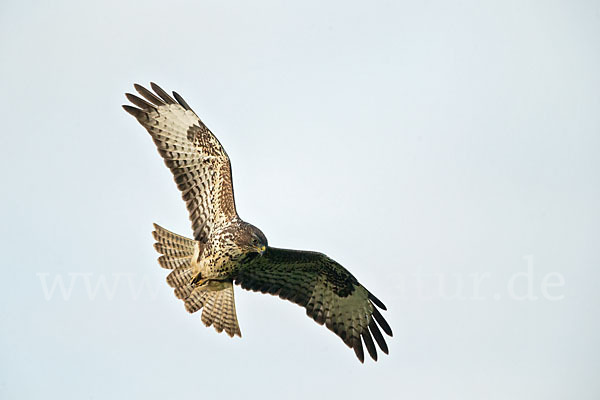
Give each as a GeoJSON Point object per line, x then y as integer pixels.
{"type": "Point", "coordinates": [414, 142]}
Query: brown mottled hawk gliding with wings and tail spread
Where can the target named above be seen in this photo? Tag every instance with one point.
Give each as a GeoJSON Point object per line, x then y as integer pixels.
{"type": "Point", "coordinates": [227, 250]}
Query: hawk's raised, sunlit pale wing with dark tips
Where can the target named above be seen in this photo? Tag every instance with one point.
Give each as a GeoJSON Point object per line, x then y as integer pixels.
{"type": "Point", "coordinates": [199, 163]}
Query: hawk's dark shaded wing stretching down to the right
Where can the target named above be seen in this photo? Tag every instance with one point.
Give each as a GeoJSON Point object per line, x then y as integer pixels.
{"type": "Point", "coordinates": [330, 294]}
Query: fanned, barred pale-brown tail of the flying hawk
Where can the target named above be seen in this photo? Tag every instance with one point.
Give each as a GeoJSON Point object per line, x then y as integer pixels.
{"type": "Point", "coordinates": [216, 298]}
